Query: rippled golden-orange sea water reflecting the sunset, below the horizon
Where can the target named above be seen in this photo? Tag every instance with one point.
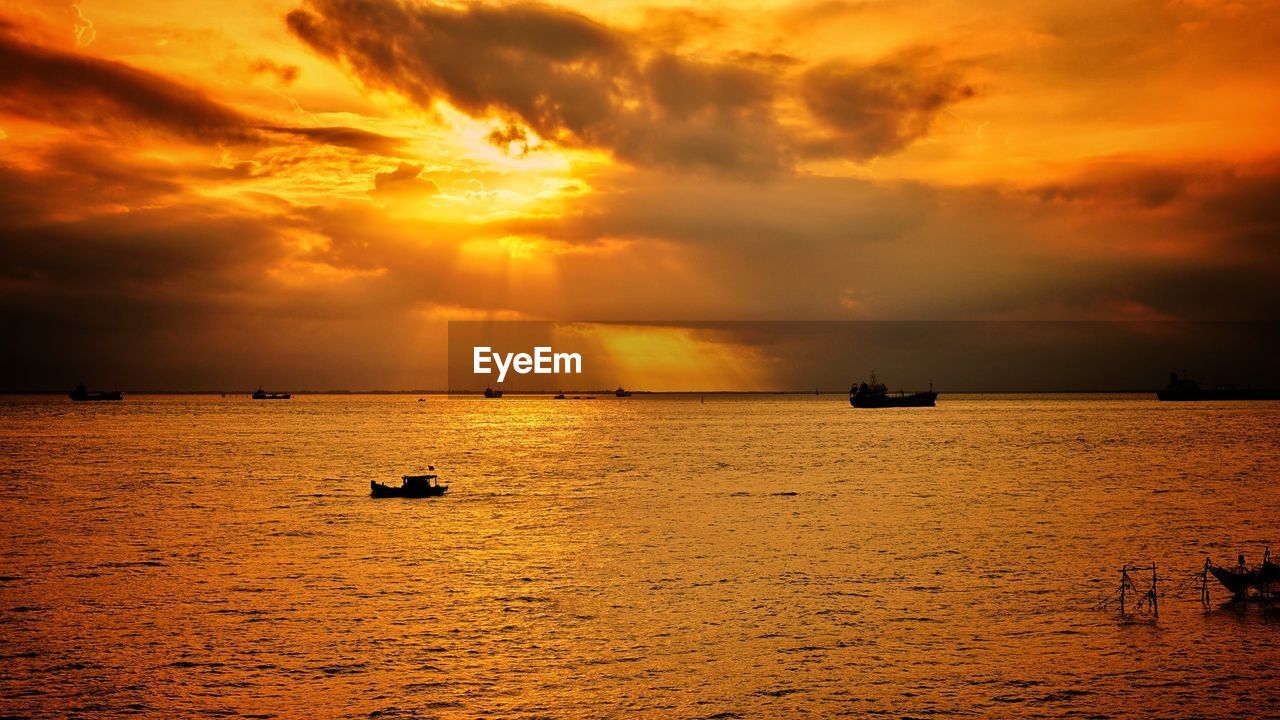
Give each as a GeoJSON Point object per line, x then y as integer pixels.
{"type": "Point", "coordinates": [772, 557]}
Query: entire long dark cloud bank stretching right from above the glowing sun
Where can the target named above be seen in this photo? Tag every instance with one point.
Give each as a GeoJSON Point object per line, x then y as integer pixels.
{"type": "Point", "coordinates": [583, 84]}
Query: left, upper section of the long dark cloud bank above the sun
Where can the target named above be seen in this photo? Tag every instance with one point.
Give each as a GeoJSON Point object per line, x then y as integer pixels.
{"type": "Point", "coordinates": [556, 70]}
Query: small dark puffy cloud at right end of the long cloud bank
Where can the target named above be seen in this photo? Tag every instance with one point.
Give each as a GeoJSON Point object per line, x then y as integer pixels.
{"type": "Point", "coordinates": [880, 108]}
